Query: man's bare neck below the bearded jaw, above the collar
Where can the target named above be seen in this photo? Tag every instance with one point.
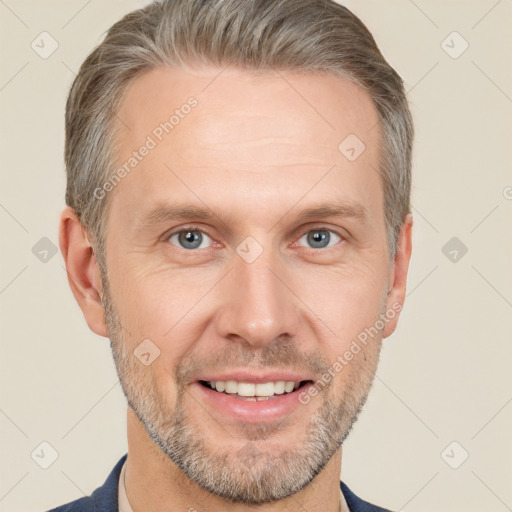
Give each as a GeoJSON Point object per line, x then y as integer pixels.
{"type": "Point", "coordinates": [155, 484]}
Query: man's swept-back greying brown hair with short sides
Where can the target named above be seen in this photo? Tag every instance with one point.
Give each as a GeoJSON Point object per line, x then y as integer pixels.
{"type": "Point", "coordinates": [256, 35]}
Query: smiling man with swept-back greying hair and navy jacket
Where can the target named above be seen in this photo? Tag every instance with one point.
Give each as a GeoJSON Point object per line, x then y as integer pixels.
{"type": "Point", "coordinates": [238, 224]}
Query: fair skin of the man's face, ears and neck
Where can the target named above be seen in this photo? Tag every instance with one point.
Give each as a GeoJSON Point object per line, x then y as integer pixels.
{"type": "Point", "coordinates": [255, 153]}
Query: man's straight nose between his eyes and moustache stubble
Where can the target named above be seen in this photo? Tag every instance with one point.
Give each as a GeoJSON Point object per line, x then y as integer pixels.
{"type": "Point", "coordinates": [257, 305]}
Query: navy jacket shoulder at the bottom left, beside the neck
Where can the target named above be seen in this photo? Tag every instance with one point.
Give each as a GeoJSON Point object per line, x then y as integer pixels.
{"type": "Point", "coordinates": [103, 499]}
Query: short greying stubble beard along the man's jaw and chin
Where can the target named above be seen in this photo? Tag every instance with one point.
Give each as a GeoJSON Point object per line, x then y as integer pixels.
{"type": "Point", "coordinates": [253, 472]}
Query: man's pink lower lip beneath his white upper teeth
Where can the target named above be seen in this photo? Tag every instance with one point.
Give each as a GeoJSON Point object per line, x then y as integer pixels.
{"type": "Point", "coordinates": [253, 411]}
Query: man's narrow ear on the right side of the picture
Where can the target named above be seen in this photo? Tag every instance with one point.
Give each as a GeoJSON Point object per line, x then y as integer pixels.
{"type": "Point", "coordinates": [398, 276]}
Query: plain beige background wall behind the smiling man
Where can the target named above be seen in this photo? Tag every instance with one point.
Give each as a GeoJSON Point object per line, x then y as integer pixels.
{"type": "Point", "coordinates": [444, 375]}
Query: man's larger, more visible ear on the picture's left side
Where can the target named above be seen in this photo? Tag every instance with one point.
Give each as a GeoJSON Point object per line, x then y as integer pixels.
{"type": "Point", "coordinates": [82, 270]}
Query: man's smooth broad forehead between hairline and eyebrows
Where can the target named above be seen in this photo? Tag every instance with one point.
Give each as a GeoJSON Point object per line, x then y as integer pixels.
{"type": "Point", "coordinates": [271, 136]}
